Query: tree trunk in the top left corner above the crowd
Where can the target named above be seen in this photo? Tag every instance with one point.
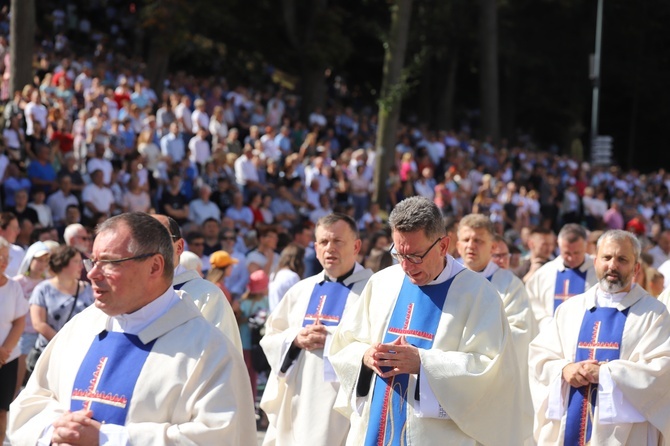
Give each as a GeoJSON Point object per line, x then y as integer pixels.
{"type": "Point", "coordinates": [22, 36]}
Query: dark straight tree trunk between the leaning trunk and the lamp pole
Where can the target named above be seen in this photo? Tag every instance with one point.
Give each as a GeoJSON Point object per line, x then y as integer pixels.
{"type": "Point", "coordinates": [488, 75]}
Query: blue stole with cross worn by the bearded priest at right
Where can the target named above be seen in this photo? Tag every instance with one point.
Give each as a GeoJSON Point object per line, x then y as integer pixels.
{"type": "Point", "coordinates": [600, 339]}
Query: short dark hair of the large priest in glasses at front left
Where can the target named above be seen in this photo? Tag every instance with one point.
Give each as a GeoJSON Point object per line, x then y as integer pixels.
{"type": "Point", "coordinates": [148, 235]}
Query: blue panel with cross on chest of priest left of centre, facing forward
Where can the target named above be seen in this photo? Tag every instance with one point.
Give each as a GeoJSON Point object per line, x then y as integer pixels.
{"type": "Point", "coordinates": [326, 304]}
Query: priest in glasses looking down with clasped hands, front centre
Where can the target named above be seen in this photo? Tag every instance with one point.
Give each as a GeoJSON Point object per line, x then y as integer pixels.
{"type": "Point", "coordinates": [428, 359]}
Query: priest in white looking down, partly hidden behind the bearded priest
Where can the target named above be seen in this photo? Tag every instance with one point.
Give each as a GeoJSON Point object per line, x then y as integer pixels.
{"type": "Point", "coordinates": [569, 274]}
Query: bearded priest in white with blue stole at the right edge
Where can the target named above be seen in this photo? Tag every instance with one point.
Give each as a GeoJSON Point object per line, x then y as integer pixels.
{"type": "Point", "coordinates": [600, 370]}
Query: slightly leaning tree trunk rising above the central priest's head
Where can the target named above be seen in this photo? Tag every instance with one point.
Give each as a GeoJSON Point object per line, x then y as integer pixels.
{"type": "Point", "coordinates": [390, 99]}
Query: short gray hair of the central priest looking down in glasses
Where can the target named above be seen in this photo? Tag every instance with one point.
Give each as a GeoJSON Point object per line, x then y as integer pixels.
{"type": "Point", "coordinates": [415, 214]}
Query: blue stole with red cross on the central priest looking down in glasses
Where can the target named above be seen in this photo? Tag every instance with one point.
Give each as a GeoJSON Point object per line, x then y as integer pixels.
{"type": "Point", "coordinates": [416, 315]}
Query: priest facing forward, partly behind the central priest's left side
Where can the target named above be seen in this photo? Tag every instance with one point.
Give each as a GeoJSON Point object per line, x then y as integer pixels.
{"type": "Point", "coordinates": [302, 387]}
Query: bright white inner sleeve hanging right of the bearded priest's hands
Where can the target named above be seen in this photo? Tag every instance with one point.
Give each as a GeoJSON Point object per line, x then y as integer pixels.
{"type": "Point", "coordinates": [613, 406]}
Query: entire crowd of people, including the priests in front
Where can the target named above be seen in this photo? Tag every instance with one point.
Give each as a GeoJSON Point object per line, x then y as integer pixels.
{"type": "Point", "coordinates": [324, 294]}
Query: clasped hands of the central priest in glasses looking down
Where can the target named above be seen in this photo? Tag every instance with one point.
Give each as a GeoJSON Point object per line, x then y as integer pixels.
{"type": "Point", "coordinates": [399, 355]}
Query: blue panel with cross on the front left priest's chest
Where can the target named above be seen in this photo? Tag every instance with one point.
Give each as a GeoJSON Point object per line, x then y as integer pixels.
{"type": "Point", "coordinates": [107, 376]}
